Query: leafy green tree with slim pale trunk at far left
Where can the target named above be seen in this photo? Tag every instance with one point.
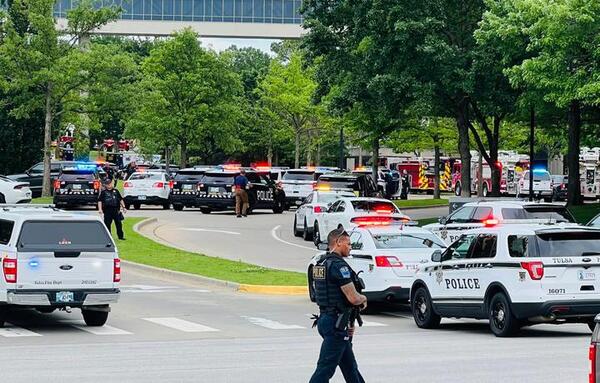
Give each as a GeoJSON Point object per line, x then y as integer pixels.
{"type": "Point", "coordinates": [44, 66]}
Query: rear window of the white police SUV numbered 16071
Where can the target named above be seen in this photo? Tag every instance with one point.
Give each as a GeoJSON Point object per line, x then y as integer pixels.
{"type": "Point", "coordinates": [569, 244]}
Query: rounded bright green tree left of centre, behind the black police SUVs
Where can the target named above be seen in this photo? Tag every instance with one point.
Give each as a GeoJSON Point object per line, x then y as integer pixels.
{"type": "Point", "coordinates": [188, 97]}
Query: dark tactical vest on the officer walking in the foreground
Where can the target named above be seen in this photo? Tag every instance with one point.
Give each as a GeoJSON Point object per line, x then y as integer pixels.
{"type": "Point", "coordinates": [328, 295]}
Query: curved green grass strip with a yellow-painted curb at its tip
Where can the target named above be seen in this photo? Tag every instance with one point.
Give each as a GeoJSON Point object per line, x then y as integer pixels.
{"type": "Point", "coordinates": [137, 248]}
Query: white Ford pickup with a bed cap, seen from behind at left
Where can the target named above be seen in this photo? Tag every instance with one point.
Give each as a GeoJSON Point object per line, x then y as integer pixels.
{"type": "Point", "coordinates": [53, 260]}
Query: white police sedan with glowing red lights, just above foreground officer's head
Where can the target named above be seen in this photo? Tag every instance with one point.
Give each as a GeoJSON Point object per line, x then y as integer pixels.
{"type": "Point", "coordinates": [352, 211]}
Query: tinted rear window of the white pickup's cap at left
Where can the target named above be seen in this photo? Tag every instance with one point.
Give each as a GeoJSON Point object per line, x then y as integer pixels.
{"type": "Point", "coordinates": [64, 236]}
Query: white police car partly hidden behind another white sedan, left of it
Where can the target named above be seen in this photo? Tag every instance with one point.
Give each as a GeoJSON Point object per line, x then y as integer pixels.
{"type": "Point", "coordinates": [316, 203]}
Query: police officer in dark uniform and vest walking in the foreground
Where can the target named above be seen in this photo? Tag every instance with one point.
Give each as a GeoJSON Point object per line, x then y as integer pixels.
{"type": "Point", "coordinates": [336, 293]}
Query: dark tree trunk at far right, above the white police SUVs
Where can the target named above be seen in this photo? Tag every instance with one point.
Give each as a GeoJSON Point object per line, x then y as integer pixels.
{"type": "Point", "coordinates": [574, 186]}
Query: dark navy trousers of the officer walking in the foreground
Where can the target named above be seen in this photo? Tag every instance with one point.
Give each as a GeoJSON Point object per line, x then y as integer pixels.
{"type": "Point", "coordinates": [336, 350]}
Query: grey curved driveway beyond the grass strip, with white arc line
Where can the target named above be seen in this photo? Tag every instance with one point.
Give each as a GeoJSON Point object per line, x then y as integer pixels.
{"type": "Point", "coordinates": [263, 238]}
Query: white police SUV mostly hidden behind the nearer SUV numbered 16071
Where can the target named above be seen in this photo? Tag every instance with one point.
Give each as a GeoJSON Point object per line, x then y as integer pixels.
{"type": "Point", "coordinates": [478, 214]}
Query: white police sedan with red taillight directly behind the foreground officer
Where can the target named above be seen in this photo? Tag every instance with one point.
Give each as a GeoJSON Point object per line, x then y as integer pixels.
{"type": "Point", "coordinates": [386, 256]}
